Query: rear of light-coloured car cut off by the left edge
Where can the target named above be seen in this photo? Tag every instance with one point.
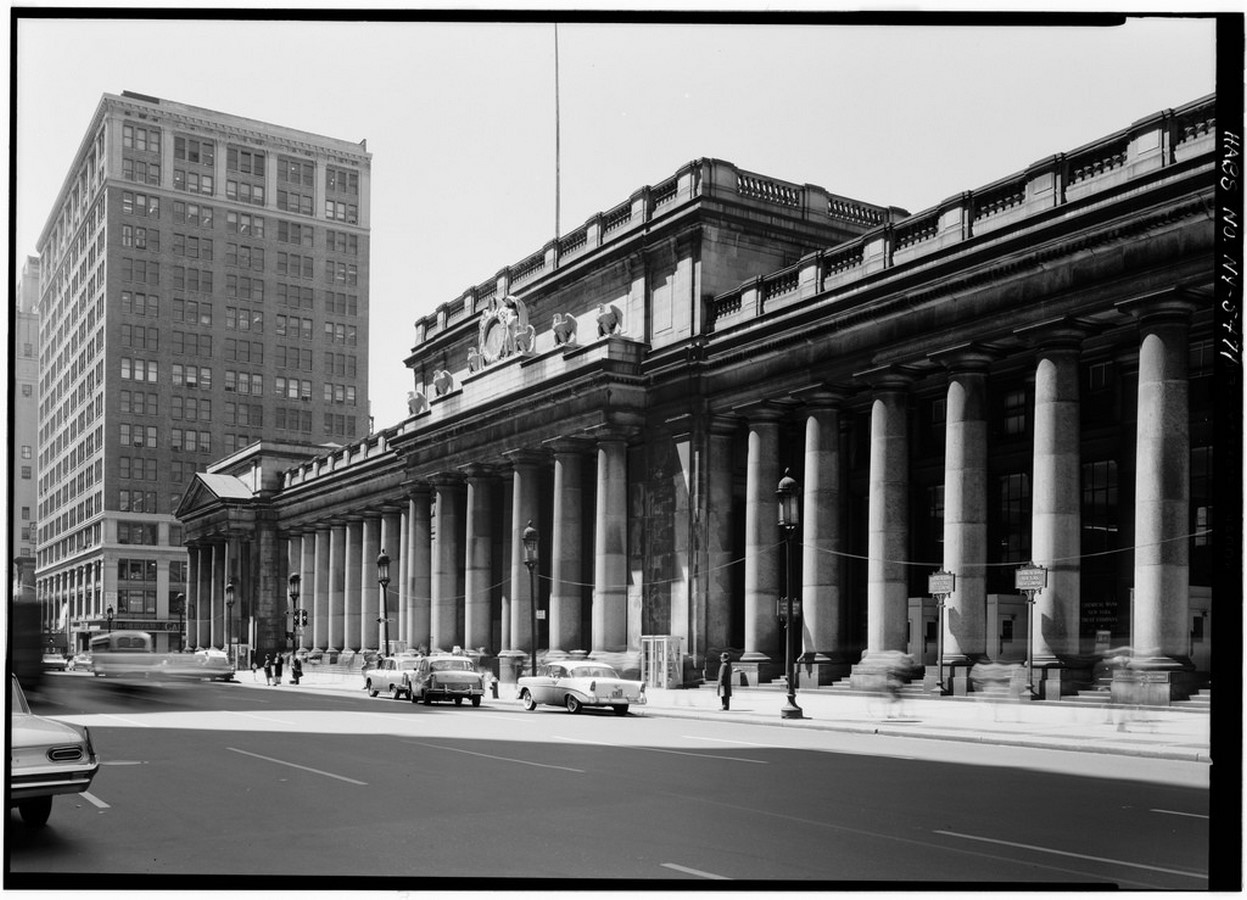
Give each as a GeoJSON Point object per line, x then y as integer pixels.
{"type": "Point", "coordinates": [46, 759]}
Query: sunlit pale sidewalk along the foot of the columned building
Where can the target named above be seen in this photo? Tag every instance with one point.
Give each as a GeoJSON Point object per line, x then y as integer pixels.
{"type": "Point", "coordinates": [1125, 731]}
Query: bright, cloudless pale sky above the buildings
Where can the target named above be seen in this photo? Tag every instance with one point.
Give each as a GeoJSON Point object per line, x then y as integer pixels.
{"type": "Point", "coordinates": [461, 118]}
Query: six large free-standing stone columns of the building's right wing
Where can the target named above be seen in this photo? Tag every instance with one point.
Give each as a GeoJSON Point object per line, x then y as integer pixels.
{"type": "Point", "coordinates": [1162, 572]}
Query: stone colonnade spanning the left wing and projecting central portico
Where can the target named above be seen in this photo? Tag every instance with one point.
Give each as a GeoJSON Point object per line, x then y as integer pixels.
{"type": "Point", "coordinates": [441, 543]}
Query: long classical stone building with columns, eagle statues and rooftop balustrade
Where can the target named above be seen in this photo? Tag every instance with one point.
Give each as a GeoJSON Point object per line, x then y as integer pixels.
{"type": "Point", "coordinates": [1018, 377]}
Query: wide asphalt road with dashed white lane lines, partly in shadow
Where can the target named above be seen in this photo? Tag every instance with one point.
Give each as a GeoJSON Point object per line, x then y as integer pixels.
{"type": "Point", "coordinates": [245, 786]}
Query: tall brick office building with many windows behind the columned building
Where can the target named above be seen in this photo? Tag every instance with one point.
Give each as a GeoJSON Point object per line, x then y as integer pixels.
{"type": "Point", "coordinates": [204, 284]}
